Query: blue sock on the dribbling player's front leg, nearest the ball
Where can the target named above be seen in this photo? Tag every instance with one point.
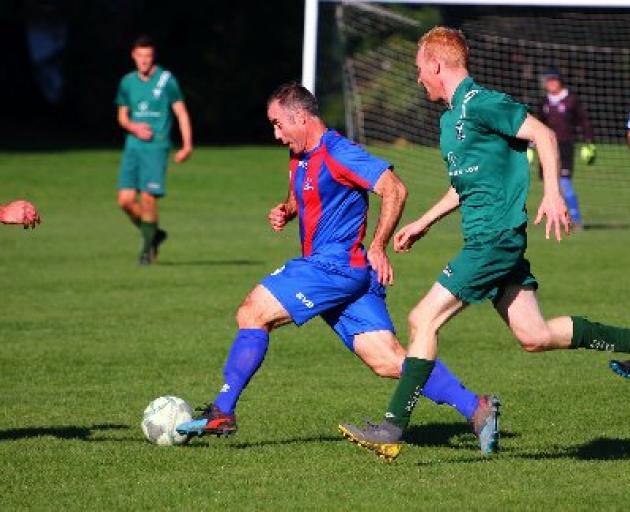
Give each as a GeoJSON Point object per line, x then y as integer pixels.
{"type": "Point", "coordinates": [246, 356]}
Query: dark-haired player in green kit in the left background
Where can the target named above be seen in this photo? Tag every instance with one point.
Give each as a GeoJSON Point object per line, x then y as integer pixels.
{"type": "Point", "coordinates": [147, 99]}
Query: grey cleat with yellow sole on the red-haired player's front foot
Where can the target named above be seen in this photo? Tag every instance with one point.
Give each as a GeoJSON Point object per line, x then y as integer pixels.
{"type": "Point", "coordinates": [385, 439]}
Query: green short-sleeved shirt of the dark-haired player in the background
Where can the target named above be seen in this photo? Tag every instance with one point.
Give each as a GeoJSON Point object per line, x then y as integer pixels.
{"type": "Point", "coordinates": [150, 101]}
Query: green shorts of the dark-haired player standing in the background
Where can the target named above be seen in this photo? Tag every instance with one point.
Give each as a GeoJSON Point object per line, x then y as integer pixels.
{"type": "Point", "coordinates": [144, 170]}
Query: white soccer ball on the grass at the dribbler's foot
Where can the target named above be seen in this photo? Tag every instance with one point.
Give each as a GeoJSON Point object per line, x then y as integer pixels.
{"type": "Point", "coordinates": [162, 416]}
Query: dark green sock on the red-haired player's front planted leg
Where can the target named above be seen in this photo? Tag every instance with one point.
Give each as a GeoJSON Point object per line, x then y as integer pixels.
{"type": "Point", "coordinates": [415, 374]}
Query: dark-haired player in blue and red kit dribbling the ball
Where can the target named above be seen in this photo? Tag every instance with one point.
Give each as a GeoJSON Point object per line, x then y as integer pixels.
{"type": "Point", "coordinates": [336, 277]}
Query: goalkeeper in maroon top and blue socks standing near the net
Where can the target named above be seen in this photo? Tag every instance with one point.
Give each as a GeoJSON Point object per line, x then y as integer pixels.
{"type": "Point", "coordinates": [563, 112]}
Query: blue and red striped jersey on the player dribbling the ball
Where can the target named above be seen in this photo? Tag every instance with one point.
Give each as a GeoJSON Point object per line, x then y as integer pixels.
{"type": "Point", "coordinates": [330, 183]}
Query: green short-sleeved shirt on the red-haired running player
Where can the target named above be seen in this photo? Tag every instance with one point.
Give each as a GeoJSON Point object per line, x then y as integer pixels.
{"type": "Point", "coordinates": [486, 164]}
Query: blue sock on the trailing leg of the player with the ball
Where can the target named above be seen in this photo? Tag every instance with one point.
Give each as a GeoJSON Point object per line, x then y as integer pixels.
{"type": "Point", "coordinates": [444, 388]}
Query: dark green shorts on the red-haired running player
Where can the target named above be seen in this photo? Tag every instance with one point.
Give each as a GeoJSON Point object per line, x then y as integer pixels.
{"type": "Point", "coordinates": [486, 265]}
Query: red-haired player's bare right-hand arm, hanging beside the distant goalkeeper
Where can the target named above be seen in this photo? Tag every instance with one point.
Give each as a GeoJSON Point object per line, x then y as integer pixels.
{"type": "Point", "coordinates": [552, 205]}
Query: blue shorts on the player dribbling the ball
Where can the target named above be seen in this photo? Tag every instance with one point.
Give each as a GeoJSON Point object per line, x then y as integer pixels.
{"type": "Point", "coordinates": [350, 301]}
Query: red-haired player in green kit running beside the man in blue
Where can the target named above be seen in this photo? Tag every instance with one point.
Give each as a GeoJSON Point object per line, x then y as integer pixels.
{"type": "Point", "coordinates": [483, 140]}
